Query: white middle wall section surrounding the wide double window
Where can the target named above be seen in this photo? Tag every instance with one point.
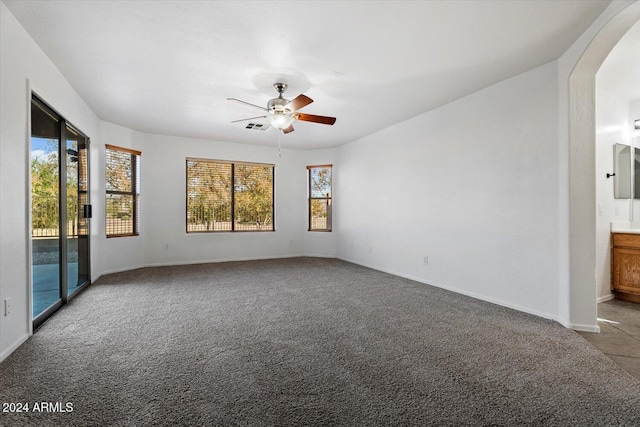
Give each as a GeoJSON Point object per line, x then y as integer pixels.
{"type": "Point", "coordinates": [163, 194]}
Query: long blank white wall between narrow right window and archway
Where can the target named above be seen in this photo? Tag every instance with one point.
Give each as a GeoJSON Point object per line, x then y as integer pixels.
{"type": "Point", "coordinates": [473, 186]}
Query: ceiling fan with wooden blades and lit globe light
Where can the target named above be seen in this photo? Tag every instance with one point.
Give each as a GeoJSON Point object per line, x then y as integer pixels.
{"type": "Point", "coordinates": [281, 113]}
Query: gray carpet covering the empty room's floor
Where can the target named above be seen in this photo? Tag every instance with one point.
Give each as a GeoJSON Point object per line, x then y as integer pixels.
{"type": "Point", "coordinates": [306, 341]}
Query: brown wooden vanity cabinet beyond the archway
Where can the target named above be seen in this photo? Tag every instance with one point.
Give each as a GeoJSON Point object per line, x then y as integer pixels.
{"type": "Point", "coordinates": [625, 266]}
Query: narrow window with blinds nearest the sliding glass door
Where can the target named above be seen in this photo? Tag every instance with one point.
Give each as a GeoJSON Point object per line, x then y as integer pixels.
{"type": "Point", "coordinates": [122, 173]}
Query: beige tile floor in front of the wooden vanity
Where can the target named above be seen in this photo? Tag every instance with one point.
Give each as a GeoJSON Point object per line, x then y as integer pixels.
{"type": "Point", "coordinates": [619, 336]}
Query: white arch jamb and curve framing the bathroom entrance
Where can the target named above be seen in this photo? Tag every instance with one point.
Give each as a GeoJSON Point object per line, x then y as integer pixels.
{"type": "Point", "coordinates": [581, 307]}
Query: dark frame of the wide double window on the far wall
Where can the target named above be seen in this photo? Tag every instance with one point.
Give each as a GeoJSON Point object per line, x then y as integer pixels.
{"type": "Point", "coordinates": [233, 164]}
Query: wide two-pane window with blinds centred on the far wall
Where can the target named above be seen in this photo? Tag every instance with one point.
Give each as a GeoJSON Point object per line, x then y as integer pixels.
{"type": "Point", "coordinates": [229, 196]}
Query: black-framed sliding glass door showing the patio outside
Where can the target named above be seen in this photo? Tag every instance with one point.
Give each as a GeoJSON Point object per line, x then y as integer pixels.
{"type": "Point", "coordinates": [60, 211]}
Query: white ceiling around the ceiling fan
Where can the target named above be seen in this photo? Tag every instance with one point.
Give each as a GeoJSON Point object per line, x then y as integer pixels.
{"type": "Point", "coordinates": [167, 67]}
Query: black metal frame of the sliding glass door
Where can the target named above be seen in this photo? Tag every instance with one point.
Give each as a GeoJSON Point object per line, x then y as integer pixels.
{"type": "Point", "coordinates": [65, 297]}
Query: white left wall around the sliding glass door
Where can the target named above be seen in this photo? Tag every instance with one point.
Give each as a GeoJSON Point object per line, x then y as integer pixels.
{"type": "Point", "coordinates": [24, 66]}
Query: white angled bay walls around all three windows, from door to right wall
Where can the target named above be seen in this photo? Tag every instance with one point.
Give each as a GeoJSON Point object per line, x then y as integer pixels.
{"type": "Point", "coordinates": [162, 205]}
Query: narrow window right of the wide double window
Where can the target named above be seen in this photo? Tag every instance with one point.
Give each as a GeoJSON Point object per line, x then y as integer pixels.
{"type": "Point", "coordinates": [319, 198]}
